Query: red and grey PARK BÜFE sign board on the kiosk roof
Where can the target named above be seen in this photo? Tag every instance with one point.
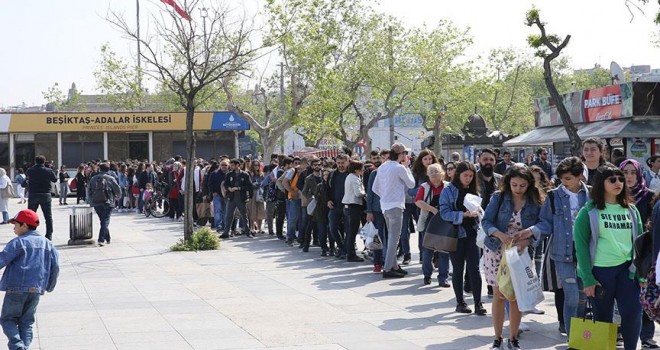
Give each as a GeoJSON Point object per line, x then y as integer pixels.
{"type": "Point", "coordinates": [606, 103]}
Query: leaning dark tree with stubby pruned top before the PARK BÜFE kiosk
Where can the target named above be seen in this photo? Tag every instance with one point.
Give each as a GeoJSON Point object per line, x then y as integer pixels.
{"type": "Point", "coordinates": [554, 44]}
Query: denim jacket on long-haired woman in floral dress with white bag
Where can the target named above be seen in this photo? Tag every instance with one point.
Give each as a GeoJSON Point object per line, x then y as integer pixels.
{"type": "Point", "coordinates": [498, 219]}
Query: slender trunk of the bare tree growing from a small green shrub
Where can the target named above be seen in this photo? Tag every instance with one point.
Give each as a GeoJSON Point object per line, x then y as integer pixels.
{"type": "Point", "coordinates": [190, 166]}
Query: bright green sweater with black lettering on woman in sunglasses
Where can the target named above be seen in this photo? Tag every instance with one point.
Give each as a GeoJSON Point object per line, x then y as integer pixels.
{"type": "Point", "coordinates": [614, 243]}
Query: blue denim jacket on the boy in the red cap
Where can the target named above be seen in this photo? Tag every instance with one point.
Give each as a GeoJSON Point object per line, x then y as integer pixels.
{"type": "Point", "coordinates": [31, 264]}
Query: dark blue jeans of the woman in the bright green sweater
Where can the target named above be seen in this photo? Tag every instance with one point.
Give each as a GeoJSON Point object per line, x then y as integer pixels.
{"type": "Point", "coordinates": [625, 290]}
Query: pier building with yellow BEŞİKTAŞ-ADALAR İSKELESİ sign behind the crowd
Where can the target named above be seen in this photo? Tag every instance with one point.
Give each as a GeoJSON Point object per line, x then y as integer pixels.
{"type": "Point", "coordinates": [74, 138]}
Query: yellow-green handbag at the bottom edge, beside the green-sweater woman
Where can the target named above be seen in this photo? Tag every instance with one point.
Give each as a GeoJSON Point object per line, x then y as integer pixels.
{"type": "Point", "coordinates": [587, 334]}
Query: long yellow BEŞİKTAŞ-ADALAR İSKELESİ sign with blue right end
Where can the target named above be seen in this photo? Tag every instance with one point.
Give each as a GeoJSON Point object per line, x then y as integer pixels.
{"type": "Point", "coordinates": [118, 122]}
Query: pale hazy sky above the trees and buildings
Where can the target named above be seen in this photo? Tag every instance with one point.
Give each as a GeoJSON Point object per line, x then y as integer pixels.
{"type": "Point", "coordinates": [46, 42]}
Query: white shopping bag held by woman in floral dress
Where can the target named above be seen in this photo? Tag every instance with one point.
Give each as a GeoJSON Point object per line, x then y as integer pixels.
{"type": "Point", "coordinates": [526, 283]}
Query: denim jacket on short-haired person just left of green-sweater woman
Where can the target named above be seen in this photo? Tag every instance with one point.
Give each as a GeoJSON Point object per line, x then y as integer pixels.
{"type": "Point", "coordinates": [560, 224]}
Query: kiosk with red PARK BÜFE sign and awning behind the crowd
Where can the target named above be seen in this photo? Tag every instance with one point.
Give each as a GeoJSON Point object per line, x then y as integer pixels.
{"type": "Point", "coordinates": [625, 116]}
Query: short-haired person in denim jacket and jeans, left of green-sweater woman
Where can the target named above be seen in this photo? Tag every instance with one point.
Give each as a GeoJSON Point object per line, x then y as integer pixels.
{"type": "Point", "coordinates": [557, 218]}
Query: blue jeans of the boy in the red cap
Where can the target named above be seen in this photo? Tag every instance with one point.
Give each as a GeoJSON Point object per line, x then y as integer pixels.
{"type": "Point", "coordinates": [17, 318]}
